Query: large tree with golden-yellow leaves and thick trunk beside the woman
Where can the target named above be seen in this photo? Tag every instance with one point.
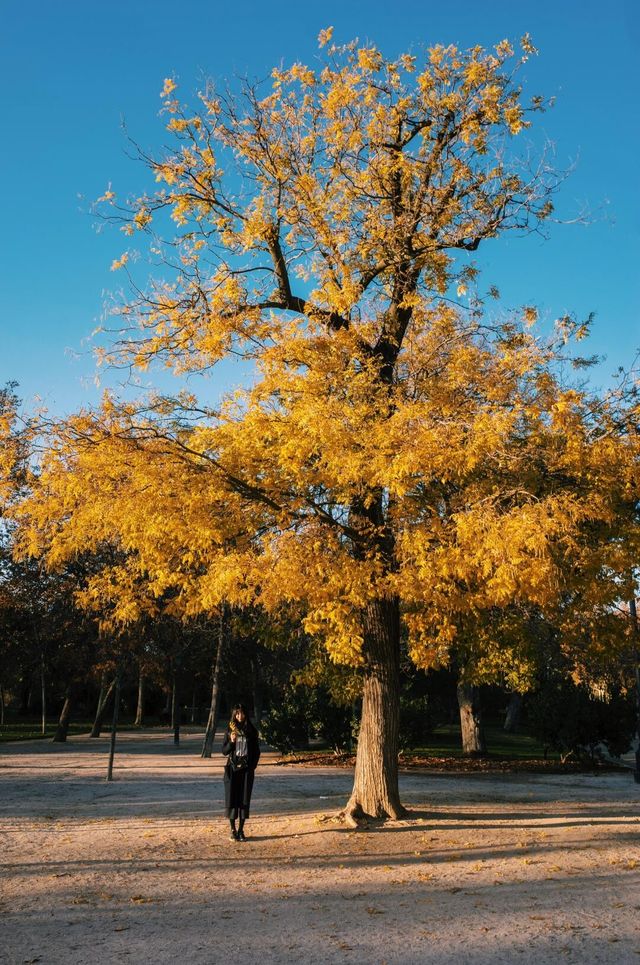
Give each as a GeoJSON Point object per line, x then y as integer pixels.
{"type": "Point", "coordinates": [398, 454]}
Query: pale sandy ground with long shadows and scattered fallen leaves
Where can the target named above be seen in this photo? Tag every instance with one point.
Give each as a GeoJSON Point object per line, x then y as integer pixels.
{"type": "Point", "coordinates": [486, 869]}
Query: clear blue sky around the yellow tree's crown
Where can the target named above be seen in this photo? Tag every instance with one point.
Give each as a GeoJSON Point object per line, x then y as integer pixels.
{"type": "Point", "coordinates": [73, 69]}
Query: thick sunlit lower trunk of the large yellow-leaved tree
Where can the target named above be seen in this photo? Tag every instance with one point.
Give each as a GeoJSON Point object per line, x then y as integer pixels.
{"type": "Point", "coordinates": [375, 788]}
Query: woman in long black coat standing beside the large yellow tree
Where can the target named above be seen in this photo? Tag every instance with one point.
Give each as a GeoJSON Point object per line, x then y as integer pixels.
{"type": "Point", "coordinates": [242, 749]}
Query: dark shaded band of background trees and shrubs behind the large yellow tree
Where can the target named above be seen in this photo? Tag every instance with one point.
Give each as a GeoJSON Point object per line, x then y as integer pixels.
{"type": "Point", "coordinates": [55, 662]}
